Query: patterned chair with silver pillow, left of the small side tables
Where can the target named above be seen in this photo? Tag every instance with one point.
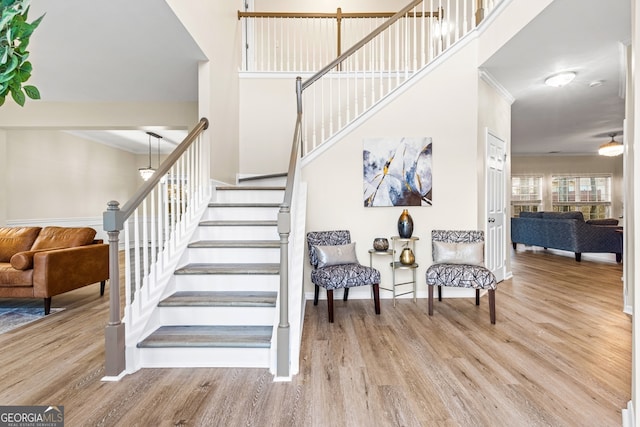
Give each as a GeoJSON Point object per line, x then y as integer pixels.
{"type": "Point", "coordinates": [335, 266]}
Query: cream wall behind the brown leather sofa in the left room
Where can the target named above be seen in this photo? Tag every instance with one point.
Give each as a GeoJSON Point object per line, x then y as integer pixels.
{"type": "Point", "coordinates": [54, 175]}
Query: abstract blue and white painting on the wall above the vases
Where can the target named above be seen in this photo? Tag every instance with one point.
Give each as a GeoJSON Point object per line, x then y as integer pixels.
{"type": "Point", "coordinates": [397, 172]}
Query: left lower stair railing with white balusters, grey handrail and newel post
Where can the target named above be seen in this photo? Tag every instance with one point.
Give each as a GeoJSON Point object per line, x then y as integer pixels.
{"type": "Point", "coordinates": [157, 222]}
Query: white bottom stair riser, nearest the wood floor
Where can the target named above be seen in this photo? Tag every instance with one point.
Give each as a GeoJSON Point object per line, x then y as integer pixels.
{"type": "Point", "coordinates": [191, 357]}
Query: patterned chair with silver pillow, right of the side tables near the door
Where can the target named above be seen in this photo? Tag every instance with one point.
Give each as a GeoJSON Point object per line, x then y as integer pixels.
{"type": "Point", "coordinates": [458, 258]}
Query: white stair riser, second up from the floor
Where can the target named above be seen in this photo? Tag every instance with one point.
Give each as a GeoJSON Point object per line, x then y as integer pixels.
{"type": "Point", "coordinates": [216, 315]}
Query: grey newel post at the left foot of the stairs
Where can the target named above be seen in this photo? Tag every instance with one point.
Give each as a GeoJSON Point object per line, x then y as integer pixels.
{"type": "Point", "coordinates": [114, 331]}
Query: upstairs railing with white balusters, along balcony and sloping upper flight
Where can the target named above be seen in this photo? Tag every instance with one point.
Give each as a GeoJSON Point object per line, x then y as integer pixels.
{"type": "Point", "coordinates": [383, 51]}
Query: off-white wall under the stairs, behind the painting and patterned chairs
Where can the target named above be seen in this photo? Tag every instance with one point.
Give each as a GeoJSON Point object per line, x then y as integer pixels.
{"type": "Point", "coordinates": [442, 106]}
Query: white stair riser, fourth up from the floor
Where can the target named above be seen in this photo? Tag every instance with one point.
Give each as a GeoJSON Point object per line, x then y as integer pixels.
{"type": "Point", "coordinates": [231, 255]}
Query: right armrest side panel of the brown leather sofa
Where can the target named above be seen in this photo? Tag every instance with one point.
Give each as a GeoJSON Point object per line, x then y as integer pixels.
{"type": "Point", "coordinates": [61, 270]}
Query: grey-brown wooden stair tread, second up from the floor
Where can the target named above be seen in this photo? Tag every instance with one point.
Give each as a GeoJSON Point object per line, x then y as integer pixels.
{"type": "Point", "coordinates": [220, 299]}
